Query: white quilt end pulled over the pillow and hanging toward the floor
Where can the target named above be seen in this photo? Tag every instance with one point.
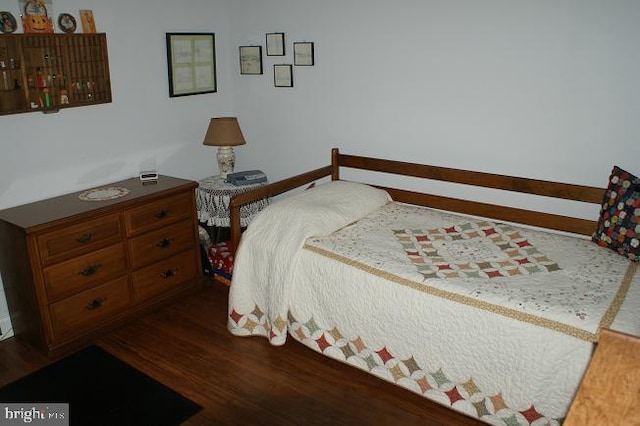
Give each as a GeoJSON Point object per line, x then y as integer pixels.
{"type": "Point", "coordinates": [271, 245]}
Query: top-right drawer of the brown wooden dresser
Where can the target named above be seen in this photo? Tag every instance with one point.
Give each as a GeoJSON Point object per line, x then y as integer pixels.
{"type": "Point", "coordinates": [158, 213]}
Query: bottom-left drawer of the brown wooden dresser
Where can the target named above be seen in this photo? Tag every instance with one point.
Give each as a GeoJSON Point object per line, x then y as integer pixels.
{"type": "Point", "coordinates": [87, 310]}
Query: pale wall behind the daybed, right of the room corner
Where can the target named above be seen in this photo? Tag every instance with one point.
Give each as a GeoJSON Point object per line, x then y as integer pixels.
{"type": "Point", "coordinates": [545, 89]}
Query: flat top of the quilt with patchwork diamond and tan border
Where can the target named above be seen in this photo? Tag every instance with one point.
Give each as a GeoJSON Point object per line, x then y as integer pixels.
{"type": "Point", "coordinates": [556, 281]}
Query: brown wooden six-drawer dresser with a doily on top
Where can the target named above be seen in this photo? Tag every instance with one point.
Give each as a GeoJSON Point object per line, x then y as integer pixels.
{"type": "Point", "coordinates": [73, 269]}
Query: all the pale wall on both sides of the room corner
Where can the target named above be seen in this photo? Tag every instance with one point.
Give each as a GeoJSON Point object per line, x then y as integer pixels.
{"type": "Point", "coordinates": [536, 88]}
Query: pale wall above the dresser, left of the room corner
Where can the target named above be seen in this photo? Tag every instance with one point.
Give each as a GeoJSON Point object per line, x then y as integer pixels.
{"type": "Point", "coordinates": [46, 155]}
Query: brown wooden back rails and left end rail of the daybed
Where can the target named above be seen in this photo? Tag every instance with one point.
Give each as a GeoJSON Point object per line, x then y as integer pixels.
{"type": "Point", "coordinates": [565, 191]}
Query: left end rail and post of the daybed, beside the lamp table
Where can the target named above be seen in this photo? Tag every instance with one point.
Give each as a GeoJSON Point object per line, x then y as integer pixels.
{"type": "Point", "coordinates": [266, 191]}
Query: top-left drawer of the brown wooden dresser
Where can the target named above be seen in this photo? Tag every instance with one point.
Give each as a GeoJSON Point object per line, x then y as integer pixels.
{"type": "Point", "coordinates": [79, 239]}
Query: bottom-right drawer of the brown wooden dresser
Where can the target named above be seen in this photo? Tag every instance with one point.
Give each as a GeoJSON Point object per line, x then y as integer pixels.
{"type": "Point", "coordinates": [165, 275]}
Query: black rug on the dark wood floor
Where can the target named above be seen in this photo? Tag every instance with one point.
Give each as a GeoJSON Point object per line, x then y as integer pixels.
{"type": "Point", "coordinates": [101, 390]}
